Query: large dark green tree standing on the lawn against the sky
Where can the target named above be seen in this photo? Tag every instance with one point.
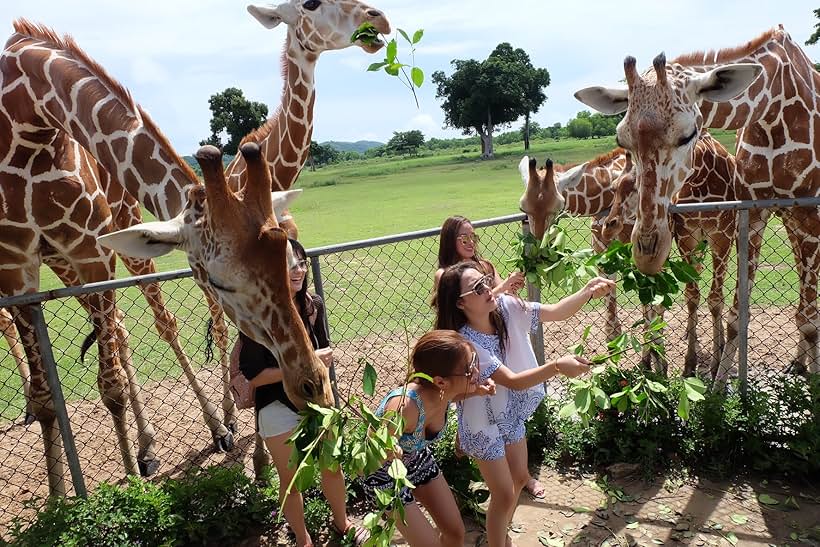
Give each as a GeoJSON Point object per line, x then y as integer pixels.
{"type": "Point", "coordinates": [480, 96]}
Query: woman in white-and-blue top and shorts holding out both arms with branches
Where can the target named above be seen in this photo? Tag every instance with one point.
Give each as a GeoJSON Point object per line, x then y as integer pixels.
{"type": "Point", "coordinates": [491, 429]}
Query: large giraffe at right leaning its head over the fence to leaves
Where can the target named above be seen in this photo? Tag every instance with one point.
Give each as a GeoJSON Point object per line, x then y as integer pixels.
{"type": "Point", "coordinates": [766, 89]}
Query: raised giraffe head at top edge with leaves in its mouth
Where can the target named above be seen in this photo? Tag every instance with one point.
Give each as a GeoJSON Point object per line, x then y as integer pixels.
{"type": "Point", "coordinates": [323, 25]}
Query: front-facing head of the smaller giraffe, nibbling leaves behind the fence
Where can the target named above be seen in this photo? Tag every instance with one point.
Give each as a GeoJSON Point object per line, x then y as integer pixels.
{"type": "Point", "coordinates": [541, 201]}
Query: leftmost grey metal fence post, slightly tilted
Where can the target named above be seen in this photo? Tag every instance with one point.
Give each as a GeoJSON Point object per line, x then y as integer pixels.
{"type": "Point", "coordinates": [57, 398]}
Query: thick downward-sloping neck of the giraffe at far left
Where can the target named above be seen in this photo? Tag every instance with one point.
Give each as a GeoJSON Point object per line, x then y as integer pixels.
{"type": "Point", "coordinates": [56, 87]}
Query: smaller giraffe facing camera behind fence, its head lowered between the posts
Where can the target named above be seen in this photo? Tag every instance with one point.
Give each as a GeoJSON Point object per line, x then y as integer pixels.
{"type": "Point", "coordinates": [583, 190]}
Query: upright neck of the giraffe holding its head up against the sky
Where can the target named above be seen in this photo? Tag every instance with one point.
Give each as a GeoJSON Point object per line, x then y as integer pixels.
{"type": "Point", "coordinates": [285, 137]}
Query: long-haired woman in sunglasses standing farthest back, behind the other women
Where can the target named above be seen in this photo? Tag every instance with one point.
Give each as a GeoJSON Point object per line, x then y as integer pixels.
{"type": "Point", "coordinates": [458, 241]}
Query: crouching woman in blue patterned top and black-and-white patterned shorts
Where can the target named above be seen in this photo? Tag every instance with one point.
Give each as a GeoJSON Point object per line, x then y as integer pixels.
{"type": "Point", "coordinates": [451, 362]}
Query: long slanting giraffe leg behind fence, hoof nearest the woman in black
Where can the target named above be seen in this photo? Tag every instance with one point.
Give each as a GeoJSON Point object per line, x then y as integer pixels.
{"type": "Point", "coordinates": [166, 325]}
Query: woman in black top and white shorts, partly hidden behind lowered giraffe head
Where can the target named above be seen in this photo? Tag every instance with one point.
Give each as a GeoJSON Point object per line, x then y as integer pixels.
{"type": "Point", "coordinates": [277, 416]}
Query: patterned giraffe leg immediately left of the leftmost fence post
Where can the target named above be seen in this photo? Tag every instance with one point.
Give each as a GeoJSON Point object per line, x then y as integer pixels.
{"type": "Point", "coordinates": [41, 404]}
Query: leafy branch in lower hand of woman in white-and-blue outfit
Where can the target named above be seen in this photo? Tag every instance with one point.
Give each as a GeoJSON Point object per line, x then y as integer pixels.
{"type": "Point", "coordinates": [635, 390]}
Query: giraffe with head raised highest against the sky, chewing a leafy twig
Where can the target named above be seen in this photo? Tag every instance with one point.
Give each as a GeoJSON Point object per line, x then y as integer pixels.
{"type": "Point", "coordinates": [285, 136]}
